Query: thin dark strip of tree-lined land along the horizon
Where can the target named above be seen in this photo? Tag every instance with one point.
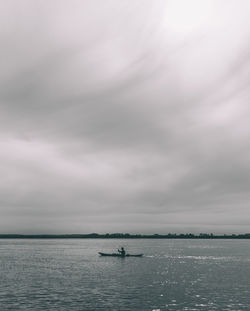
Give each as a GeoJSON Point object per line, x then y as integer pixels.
{"type": "Point", "coordinates": [126, 236]}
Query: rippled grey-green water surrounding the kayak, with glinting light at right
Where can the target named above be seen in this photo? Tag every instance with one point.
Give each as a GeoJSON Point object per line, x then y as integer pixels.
{"type": "Point", "coordinates": [173, 275]}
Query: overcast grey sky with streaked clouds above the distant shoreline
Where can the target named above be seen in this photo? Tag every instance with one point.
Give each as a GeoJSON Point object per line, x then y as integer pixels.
{"type": "Point", "coordinates": [124, 116]}
